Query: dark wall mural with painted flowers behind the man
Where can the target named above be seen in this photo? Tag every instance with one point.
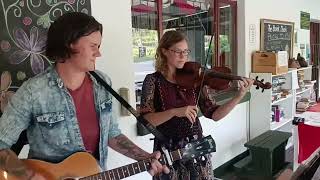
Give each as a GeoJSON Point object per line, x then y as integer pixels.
{"type": "Point", "coordinates": [23, 28]}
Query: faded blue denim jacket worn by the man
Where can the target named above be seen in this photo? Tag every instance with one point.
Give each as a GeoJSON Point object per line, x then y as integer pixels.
{"type": "Point", "coordinates": [44, 107]}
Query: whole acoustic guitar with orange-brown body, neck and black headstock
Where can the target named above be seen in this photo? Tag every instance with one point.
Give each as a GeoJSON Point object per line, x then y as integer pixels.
{"type": "Point", "coordinates": [83, 166]}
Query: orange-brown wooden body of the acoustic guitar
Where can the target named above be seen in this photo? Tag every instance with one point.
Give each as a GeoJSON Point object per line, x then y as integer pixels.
{"type": "Point", "coordinates": [80, 164]}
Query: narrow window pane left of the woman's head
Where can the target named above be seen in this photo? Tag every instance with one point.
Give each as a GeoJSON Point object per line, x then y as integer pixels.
{"type": "Point", "coordinates": [145, 40]}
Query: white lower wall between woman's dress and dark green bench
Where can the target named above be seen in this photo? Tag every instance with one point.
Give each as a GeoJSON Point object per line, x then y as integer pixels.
{"type": "Point", "coordinates": [229, 134]}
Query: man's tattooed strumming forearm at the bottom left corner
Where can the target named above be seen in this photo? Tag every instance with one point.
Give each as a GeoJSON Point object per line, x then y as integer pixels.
{"type": "Point", "coordinates": [9, 162]}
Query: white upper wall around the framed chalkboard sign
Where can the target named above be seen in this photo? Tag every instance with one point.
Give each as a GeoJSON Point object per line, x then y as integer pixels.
{"type": "Point", "coordinates": [251, 11]}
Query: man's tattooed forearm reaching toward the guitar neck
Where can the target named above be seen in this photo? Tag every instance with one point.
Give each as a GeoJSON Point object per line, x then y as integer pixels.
{"type": "Point", "coordinates": [124, 146]}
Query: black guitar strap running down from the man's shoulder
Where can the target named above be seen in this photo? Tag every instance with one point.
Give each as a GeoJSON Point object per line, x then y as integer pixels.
{"type": "Point", "coordinates": [158, 135]}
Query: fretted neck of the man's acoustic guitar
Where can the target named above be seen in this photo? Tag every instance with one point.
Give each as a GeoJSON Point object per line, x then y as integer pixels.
{"type": "Point", "coordinates": [132, 169]}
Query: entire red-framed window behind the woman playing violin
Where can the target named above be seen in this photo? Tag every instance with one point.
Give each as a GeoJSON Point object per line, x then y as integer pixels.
{"type": "Point", "coordinates": [198, 19]}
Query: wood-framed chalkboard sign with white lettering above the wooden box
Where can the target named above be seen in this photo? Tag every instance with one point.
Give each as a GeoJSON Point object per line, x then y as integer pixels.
{"type": "Point", "coordinates": [276, 36]}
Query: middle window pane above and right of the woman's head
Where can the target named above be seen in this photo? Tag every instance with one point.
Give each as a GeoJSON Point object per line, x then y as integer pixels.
{"type": "Point", "coordinates": [194, 19]}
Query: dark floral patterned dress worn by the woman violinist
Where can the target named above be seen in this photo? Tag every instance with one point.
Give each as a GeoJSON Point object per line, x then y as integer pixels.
{"type": "Point", "coordinates": [158, 94]}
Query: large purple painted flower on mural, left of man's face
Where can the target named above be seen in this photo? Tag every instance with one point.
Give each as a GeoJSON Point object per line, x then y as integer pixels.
{"type": "Point", "coordinates": [29, 47]}
